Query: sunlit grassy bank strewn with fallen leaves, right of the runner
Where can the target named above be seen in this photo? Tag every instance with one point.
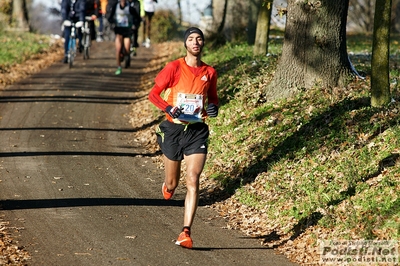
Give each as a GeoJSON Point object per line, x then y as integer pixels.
{"type": "Point", "coordinates": [324, 155]}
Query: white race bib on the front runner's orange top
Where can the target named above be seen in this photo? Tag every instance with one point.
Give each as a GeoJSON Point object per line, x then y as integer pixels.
{"type": "Point", "coordinates": [191, 106]}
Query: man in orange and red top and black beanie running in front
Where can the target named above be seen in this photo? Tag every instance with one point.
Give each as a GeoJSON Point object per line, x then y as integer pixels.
{"type": "Point", "coordinates": [189, 85]}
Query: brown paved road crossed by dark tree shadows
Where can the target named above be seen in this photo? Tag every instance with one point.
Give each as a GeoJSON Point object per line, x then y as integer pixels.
{"type": "Point", "coordinates": [79, 191]}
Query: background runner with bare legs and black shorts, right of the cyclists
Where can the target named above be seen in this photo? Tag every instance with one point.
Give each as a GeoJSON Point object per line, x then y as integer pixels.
{"type": "Point", "coordinates": [122, 14]}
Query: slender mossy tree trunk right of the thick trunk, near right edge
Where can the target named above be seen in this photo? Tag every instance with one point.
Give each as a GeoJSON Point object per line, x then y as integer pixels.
{"type": "Point", "coordinates": [380, 87]}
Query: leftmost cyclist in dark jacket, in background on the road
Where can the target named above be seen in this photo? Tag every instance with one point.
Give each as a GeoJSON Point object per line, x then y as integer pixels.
{"type": "Point", "coordinates": [72, 10]}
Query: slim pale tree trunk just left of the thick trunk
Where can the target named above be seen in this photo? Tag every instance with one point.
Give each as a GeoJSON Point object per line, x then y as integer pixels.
{"type": "Point", "coordinates": [263, 24]}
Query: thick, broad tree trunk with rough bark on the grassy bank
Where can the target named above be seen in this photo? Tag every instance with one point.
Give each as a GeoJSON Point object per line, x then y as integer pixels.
{"type": "Point", "coordinates": [314, 50]}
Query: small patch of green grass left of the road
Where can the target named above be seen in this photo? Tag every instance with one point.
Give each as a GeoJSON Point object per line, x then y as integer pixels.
{"type": "Point", "coordinates": [16, 47]}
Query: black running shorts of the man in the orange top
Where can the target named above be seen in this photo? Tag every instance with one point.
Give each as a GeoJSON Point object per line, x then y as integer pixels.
{"type": "Point", "coordinates": [177, 140]}
